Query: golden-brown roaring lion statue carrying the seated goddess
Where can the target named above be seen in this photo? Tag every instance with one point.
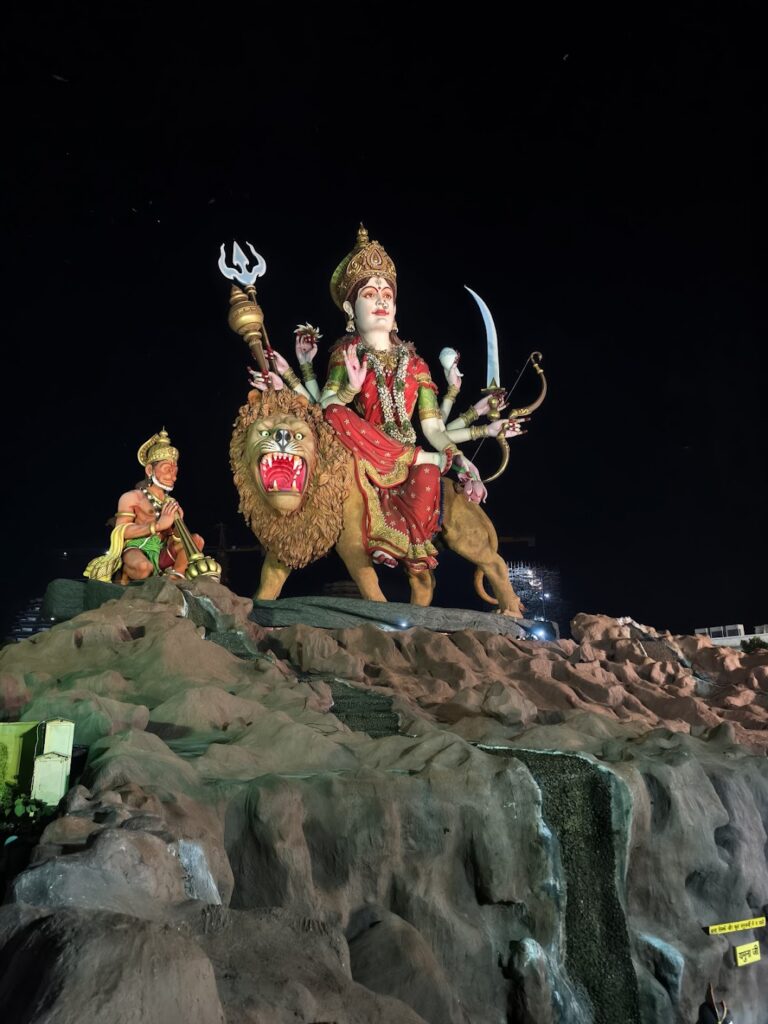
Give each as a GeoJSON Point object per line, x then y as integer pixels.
{"type": "Point", "coordinates": [297, 493]}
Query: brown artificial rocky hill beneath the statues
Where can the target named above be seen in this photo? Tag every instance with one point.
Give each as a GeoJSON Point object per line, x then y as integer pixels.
{"type": "Point", "coordinates": [367, 825]}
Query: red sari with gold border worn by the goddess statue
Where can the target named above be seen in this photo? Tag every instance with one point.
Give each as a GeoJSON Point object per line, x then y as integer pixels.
{"type": "Point", "coordinates": [402, 500]}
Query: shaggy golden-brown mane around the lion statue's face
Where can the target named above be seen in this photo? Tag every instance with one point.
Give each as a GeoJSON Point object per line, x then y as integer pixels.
{"type": "Point", "coordinates": [311, 532]}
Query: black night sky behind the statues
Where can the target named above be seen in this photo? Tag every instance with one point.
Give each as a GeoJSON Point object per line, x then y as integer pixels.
{"type": "Point", "coordinates": [601, 184]}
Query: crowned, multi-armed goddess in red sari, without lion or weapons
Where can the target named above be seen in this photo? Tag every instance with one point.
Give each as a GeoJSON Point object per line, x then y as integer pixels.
{"type": "Point", "coordinates": [376, 383]}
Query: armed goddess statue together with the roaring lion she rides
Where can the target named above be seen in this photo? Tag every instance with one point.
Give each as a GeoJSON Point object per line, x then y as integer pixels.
{"type": "Point", "coordinates": [343, 465]}
